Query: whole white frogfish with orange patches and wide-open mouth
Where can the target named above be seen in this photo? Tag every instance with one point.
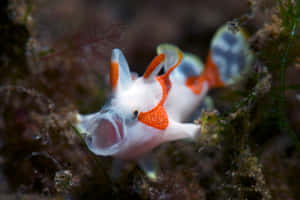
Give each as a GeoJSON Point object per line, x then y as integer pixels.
{"type": "Point", "coordinates": [144, 112]}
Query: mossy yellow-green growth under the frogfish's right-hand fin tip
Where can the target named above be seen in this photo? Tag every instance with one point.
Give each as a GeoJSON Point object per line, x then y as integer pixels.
{"type": "Point", "coordinates": [240, 171]}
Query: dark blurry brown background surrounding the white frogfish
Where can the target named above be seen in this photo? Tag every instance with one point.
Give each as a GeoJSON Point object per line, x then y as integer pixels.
{"type": "Point", "coordinates": [54, 62]}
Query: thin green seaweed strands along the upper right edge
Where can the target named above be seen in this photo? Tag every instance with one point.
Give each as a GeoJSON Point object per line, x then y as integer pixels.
{"type": "Point", "coordinates": [281, 53]}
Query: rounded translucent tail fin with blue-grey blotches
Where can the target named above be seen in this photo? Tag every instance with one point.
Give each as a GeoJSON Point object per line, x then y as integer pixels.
{"type": "Point", "coordinates": [231, 54]}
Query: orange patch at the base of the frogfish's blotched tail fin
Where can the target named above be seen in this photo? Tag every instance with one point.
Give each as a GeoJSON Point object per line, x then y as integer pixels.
{"type": "Point", "coordinates": [210, 74]}
